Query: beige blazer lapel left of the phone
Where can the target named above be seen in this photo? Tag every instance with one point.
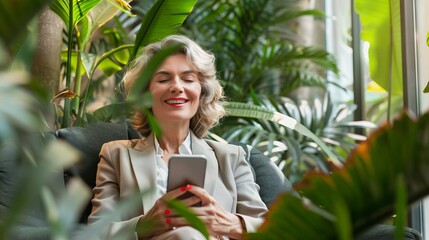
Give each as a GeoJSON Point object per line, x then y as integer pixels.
{"type": "Point", "coordinates": [143, 161]}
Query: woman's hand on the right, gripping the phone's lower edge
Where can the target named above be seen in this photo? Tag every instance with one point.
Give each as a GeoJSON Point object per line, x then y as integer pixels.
{"type": "Point", "coordinates": [218, 221]}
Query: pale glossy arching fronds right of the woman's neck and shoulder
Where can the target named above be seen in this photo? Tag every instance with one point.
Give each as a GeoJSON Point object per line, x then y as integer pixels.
{"type": "Point", "coordinates": [289, 144]}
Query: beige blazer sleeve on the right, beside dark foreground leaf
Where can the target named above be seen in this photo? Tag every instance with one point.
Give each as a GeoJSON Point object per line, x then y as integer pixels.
{"type": "Point", "coordinates": [249, 203]}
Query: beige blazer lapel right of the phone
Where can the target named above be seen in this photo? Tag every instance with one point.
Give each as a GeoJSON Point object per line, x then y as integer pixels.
{"type": "Point", "coordinates": [200, 147]}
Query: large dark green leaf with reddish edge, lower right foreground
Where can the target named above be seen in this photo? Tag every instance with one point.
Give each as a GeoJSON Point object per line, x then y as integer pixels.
{"type": "Point", "coordinates": [390, 167]}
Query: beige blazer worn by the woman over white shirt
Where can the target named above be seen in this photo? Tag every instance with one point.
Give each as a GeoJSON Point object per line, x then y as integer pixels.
{"type": "Point", "coordinates": [129, 166]}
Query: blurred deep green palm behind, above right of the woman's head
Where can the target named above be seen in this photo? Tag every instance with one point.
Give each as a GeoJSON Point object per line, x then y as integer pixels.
{"type": "Point", "coordinates": [255, 48]}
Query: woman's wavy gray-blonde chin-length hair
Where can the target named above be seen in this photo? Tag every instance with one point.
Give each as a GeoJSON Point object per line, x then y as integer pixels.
{"type": "Point", "coordinates": [210, 108]}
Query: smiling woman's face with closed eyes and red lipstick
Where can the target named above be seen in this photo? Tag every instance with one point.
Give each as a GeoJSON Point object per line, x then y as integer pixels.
{"type": "Point", "coordinates": [176, 90]}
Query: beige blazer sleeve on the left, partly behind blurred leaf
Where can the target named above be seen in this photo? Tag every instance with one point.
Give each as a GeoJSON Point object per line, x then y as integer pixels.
{"type": "Point", "coordinates": [106, 196]}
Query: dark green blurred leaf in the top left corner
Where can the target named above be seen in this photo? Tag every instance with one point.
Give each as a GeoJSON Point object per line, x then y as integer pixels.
{"type": "Point", "coordinates": [15, 15]}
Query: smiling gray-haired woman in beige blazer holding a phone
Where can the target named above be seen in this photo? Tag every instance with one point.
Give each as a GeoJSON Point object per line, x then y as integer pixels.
{"type": "Point", "coordinates": [186, 102]}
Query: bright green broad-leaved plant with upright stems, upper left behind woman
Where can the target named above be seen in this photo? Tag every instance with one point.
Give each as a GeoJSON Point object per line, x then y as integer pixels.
{"type": "Point", "coordinates": [88, 59]}
